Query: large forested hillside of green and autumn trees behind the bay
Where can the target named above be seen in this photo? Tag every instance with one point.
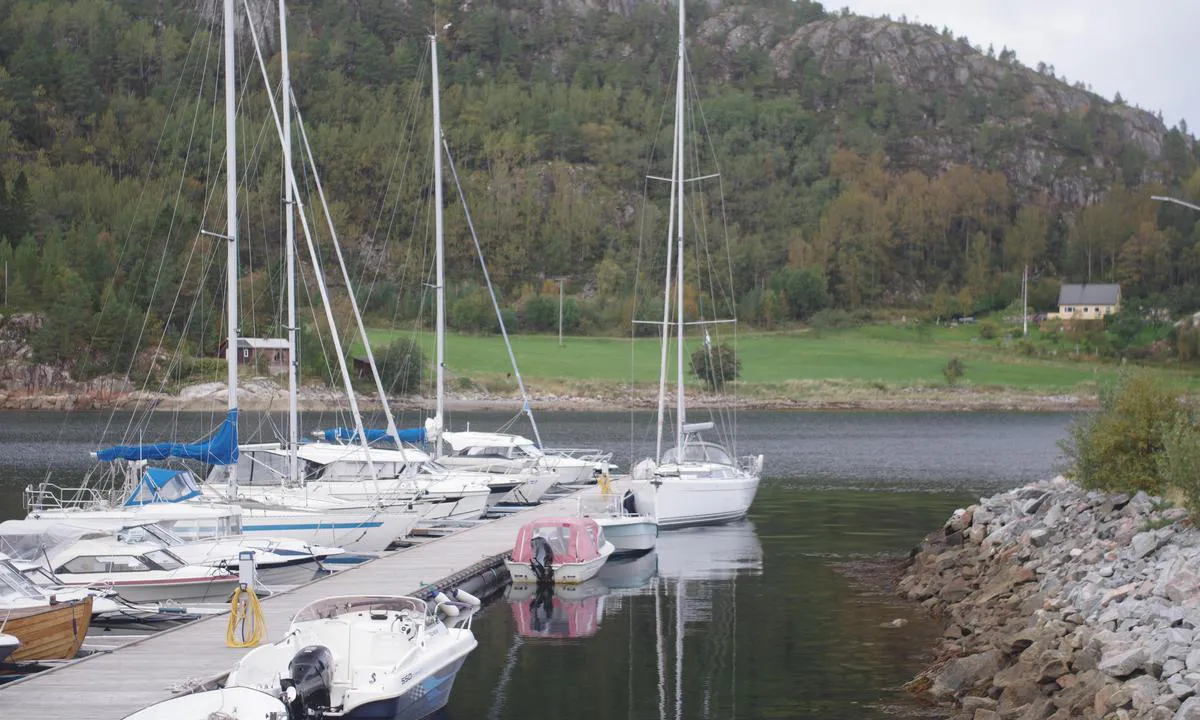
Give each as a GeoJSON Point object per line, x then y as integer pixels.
{"type": "Point", "coordinates": [867, 164]}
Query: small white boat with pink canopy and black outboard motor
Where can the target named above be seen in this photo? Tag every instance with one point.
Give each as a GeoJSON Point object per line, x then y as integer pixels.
{"type": "Point", "coordinates": [559, 550]}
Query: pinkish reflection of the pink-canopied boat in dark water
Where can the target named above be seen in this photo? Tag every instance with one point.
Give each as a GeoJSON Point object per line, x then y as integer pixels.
{"type": "Point", "coordinates": [559, 613]}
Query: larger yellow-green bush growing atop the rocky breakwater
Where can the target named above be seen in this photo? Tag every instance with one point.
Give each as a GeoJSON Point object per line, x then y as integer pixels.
{"type": "Point", "coordinates": [1118, 449]}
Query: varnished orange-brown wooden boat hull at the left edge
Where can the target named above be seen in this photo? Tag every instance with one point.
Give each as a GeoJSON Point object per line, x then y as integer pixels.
{"type": "Point", "coordinates": [52, 632]}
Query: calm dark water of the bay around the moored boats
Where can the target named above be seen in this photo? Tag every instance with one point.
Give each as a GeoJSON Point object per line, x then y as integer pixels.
{"type": "Point", "coordinates": [787, 615]}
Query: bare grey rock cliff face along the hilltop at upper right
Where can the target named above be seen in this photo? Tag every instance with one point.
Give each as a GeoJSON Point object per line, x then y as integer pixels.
{"type": "Point", "coordinates": [935, 69]}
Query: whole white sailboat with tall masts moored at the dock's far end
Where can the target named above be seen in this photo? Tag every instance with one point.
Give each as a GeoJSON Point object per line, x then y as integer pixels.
{"type": "Point", "coordinates": [695, 482]}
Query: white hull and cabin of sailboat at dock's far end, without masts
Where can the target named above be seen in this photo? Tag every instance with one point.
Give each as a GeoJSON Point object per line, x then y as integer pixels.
{"type": "Point", "coordinates": [697, 483]}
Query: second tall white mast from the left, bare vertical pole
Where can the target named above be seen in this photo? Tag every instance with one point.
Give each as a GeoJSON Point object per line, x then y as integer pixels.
{"type": "Point", "coordinates": [291, 255]}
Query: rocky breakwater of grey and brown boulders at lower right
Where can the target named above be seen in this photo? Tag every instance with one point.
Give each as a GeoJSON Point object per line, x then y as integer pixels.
{"type": "Point", "coordinates": [1063, 603]}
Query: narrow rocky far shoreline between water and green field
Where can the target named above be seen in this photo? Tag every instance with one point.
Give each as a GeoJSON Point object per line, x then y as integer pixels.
{"type": "Point", "coordinates": [266, 395]}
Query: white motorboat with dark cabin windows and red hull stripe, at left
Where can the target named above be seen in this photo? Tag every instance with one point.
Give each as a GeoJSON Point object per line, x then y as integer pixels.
{"type": "Point", "coordinates": [139, 572]}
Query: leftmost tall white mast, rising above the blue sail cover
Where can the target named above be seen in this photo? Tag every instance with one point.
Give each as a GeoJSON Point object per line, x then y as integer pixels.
{"type": "Point", "coordinates": [231, 223]}
